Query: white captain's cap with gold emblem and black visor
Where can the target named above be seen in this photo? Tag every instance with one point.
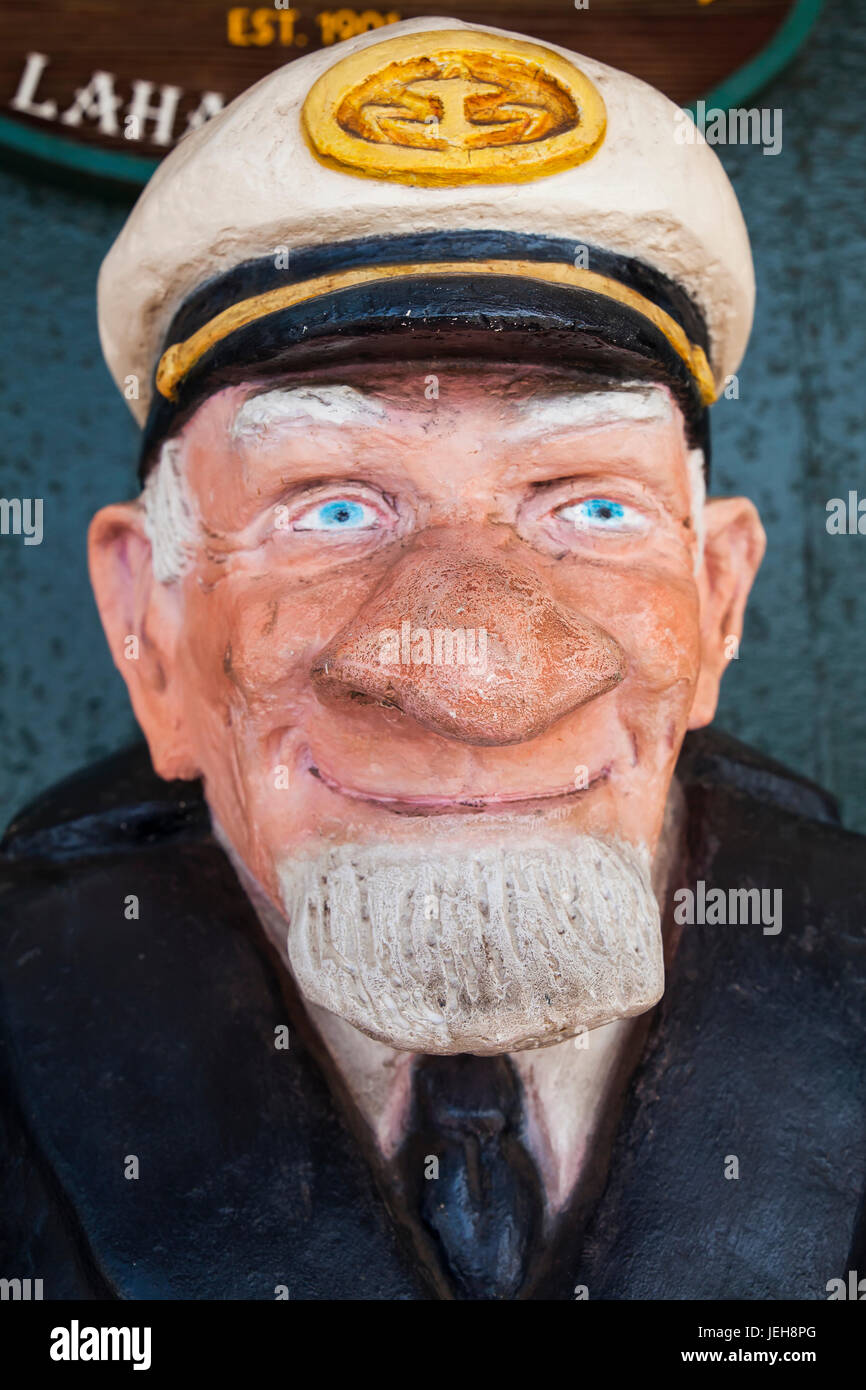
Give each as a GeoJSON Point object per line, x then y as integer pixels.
{"type": "Point", "coordinates": [430, 188]}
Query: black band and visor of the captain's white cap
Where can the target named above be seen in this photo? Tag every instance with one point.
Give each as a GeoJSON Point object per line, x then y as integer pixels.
{"type": "Point", "coordinates": [464, 313]}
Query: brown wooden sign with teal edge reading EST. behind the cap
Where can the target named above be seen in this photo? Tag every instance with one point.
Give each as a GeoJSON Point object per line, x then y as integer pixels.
{"type": "Point", "coordinates": [109, 88]}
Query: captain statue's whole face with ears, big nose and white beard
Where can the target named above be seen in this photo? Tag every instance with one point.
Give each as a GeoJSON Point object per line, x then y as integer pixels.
{"type": "Point", "coordinates": [433, 639]}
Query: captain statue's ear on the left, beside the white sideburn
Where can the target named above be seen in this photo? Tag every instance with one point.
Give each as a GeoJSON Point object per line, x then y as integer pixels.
{"type": "Point", "coordinates": [142, 621]}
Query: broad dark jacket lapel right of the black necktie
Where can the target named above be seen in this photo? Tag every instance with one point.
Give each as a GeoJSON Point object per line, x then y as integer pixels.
{"type": "Point", "coordinates": [742, 1152]}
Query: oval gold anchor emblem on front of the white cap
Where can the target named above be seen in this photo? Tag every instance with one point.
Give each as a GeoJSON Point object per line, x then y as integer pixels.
{"type": "Point", "coordinates": [454, 108]}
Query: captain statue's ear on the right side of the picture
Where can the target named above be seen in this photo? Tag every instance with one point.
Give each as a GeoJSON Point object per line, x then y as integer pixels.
{"type": "Point", "coordinates": [733, 550]}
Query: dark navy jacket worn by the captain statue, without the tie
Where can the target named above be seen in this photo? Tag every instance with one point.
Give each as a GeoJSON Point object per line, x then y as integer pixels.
{"type": "Point", "coordinates": [154, 1038]}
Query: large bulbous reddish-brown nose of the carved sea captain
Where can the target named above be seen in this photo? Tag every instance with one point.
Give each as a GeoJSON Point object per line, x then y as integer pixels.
{"type": "Point", "coordinates": [472, 648]}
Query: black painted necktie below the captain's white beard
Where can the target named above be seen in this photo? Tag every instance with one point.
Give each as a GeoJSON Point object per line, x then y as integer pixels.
{"type": "Point", "coordinates": [484, 1210]}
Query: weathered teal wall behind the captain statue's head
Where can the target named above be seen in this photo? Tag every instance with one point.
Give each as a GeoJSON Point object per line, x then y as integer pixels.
{"type": "Point", "coordinates": [792, 441]}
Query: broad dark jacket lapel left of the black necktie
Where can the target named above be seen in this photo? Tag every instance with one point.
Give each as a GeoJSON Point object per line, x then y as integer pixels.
{"type": "Point", "coordinates": [162, 1063]}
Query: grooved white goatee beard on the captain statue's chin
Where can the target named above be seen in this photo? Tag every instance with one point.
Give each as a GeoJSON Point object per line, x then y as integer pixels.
{"type": "Point", "coordinates": [484, 951]}
